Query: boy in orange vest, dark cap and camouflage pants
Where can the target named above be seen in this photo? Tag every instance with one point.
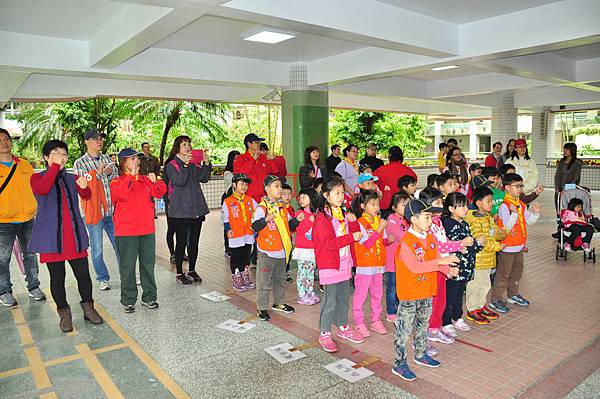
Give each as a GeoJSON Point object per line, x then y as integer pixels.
{"type": "Point", "coordinates": [417, 262]}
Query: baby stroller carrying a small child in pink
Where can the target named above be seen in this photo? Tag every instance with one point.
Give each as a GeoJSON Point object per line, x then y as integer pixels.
{"type": "Point", "coordinates": [562, 203]}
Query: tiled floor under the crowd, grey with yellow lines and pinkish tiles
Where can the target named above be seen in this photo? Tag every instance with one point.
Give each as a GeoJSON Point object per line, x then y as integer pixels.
{"type": "Point", "coordinates": [177, 348]}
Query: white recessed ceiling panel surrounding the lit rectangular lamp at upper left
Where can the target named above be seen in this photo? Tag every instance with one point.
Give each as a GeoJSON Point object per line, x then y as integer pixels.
{"type": "Point", "coordinates": [216, 35]}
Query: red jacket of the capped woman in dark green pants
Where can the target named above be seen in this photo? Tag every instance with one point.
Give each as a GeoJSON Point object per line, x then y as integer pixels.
{"type": "Point", "coordinates": [134, 209]}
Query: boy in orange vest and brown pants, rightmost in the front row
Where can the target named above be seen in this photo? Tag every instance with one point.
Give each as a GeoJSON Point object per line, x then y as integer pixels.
{"type": "Point", "coordinates": [514, 217]}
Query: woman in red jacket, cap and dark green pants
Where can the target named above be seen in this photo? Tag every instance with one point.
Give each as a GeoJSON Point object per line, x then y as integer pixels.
{"type": "Point", "coordinates": [132, 196]}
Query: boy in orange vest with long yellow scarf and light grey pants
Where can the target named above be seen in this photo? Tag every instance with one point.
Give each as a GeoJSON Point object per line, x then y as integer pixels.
{"type": "Point", "coordinates": [272, 223]}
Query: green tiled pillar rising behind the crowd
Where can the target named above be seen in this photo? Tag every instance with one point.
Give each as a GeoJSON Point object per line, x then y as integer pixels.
{"type": "Point", "coordinates": [305, 121]}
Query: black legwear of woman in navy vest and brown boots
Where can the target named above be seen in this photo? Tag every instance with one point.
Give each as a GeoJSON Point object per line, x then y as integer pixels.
{"type": "Point", "coordinates": [57, 281]}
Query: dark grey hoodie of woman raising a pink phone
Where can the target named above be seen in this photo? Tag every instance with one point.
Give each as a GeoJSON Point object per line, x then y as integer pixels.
{"type": "Point", "coordinates": [187, 200]}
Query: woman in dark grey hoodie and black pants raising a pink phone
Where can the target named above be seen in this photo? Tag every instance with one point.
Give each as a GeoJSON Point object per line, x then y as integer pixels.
{"type": "Point", "coordinates": [187, 205]}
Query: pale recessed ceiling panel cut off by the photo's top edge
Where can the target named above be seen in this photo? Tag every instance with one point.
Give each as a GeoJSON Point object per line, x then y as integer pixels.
{"type": "Point", "coordinates": [464, 11]}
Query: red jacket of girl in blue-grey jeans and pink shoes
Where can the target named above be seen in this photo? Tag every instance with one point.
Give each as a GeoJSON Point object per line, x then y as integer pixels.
{"type": "Point", "coordinates": [327, 245]}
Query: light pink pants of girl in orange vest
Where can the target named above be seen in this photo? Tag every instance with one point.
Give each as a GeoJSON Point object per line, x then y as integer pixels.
{"type": "Point", "coordinates": [362, 285]}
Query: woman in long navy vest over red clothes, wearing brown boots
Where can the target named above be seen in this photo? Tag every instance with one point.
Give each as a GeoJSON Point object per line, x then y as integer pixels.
{"type": "Point", "coordinates": [59, 233]}
